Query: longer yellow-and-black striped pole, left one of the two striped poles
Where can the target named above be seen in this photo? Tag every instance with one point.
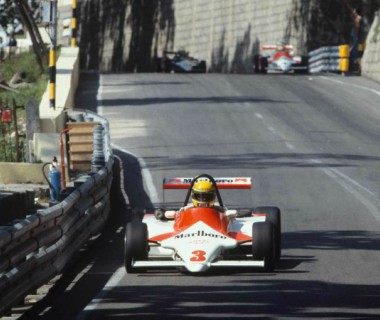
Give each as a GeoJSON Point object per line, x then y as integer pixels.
{"type": "Point", "coordinates": [52, 54]}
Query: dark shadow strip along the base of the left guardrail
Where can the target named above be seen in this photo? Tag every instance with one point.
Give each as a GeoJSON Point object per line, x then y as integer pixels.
{"type": "Point", "coordinates": [93, 266]}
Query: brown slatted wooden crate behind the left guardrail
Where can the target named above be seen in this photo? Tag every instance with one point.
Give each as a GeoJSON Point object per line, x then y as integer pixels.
{"type": "Point", "coordinates": [81, 144]}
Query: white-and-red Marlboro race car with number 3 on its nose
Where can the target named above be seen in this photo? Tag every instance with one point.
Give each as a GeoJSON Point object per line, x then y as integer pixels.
{"type": "Point", "coordinates": [194, 238]}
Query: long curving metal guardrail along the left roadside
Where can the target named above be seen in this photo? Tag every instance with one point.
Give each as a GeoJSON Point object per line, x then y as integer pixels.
{"type": "Point", "coordinates": [36, 249]}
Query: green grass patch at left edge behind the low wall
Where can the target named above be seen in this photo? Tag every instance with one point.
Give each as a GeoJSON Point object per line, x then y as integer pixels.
{"type": "Point", "coordinates": [27, 63]}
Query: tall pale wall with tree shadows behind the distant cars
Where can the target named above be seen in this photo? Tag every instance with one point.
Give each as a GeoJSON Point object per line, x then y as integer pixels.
{"type": "Point", "coordinates": [128, 35]}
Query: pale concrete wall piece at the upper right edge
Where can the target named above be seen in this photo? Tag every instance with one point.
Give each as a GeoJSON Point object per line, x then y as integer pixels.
{"type": "Point", "coordinates": [371, 57]}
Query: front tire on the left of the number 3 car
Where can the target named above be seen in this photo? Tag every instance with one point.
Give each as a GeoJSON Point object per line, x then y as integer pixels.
{"type": "Point", "coordinates": [135, 244]}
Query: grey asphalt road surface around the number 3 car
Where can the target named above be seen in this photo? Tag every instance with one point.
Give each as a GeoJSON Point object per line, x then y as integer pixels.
{"type": "Point", "coordinates": [311, 145]}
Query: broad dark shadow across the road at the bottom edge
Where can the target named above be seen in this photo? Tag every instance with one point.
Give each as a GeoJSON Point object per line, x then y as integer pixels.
{"type": "Point", "coordinates": [256, 298]}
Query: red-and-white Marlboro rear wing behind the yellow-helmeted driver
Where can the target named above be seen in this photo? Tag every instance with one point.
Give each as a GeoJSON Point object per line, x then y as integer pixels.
{"type": "Point", "coordinates": [221, 183]}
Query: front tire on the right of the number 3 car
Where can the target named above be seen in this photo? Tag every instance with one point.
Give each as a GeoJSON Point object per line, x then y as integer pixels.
{"type": "Point", "coordinates": [263, 244]}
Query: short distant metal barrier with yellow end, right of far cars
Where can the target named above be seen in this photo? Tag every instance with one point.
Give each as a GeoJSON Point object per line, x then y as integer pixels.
{"type": "Point", "coordinates": [333, 58]}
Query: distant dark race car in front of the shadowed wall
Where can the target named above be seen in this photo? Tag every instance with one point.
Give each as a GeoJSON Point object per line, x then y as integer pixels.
{"type": "Point", "coordinates": [180, 62]}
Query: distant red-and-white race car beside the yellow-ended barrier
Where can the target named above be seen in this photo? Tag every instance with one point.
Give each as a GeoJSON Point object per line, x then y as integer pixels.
{"type": "Point", "coordinates": [279, 58]}
